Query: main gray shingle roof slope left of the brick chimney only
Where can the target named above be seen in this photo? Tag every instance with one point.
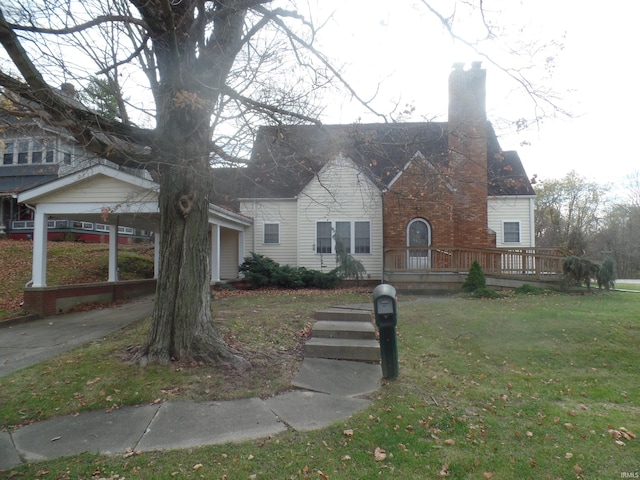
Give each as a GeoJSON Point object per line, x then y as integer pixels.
{"type": "Point", "coordinates": [285, 158]}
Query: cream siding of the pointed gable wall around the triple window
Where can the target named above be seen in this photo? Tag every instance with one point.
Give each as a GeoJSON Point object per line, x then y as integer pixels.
{"type": "Point", "coordinates": [340, 193]}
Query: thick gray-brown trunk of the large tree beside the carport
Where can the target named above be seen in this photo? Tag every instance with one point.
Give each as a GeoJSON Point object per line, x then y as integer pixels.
{"type": "Point", "coordinates": [192, 72]}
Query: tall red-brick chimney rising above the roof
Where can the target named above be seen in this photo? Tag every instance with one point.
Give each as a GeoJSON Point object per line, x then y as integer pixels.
{"type": "Point", "coordinates": [467, 126]}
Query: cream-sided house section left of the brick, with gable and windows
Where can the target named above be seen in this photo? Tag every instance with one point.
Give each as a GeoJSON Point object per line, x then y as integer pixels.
{"type": "Point", "coordinates": [300, 231]}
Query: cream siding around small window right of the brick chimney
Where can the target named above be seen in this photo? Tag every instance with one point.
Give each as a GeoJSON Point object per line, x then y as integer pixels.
{"type": "Point", "coordinates": [512, 209]}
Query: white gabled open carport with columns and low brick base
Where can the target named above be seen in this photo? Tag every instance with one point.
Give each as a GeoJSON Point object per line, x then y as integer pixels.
{"type": "Point", "coordinates": [107, 196]}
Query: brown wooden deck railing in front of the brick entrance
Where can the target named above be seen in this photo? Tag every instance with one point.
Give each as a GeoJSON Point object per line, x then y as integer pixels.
{"type": "Point", "coordinates": [512, 262]}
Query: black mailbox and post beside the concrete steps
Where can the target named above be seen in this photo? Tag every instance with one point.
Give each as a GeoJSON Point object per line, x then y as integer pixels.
{"type": "Point", "coordinates": [386, 313]}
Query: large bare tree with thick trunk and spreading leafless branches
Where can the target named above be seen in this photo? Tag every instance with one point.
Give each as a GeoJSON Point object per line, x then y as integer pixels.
{"type": "Point", "coordinates": [206, 63]}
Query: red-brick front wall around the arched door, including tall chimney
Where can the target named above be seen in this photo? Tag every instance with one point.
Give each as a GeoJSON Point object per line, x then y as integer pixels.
{"type": "Point", "coordinates": [452, 198]}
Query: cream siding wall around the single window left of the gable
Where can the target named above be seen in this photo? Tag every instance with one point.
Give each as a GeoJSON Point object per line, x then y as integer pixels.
{"type": "Point", "coordinates": [281, 212]}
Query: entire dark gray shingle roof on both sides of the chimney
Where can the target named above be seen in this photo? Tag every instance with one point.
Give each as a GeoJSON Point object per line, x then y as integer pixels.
{"type": "Point", "coordinates": [285, 158]}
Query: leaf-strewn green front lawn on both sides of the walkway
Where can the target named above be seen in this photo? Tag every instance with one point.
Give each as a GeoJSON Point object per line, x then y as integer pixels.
{"type": "Point", "coordinates": [521, 387]}
